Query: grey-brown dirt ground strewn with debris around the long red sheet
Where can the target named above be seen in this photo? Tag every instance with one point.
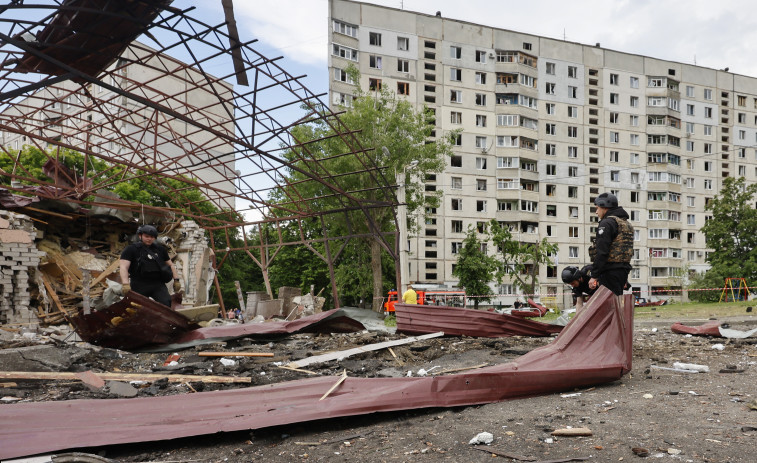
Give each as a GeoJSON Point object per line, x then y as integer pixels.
{"type": "Point", "coordinates": [649, 413]}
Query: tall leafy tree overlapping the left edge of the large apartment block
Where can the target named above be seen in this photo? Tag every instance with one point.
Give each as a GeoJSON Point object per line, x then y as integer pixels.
{"type": "Point", "coordinates": [394, 135]}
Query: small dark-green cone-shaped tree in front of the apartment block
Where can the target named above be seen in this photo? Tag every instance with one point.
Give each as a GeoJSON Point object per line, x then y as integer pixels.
{"type": "Point", "coordinates": [474, 268]}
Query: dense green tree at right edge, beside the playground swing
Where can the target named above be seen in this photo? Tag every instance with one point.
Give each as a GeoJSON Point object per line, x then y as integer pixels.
{"type": "Point", "coordinates": [731, 232]}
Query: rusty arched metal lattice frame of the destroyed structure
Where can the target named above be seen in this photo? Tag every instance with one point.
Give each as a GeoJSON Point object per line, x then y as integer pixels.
{"type": "Point", "coordinates": [159, 95]}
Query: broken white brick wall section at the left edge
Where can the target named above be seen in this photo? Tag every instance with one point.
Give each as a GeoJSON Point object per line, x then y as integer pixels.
{"type": "Point", "coordinates": [19, 258]}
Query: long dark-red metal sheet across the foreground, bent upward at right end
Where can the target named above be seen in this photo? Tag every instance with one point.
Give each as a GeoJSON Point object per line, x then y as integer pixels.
{"type": "Point", "coordinates": [594, 348]}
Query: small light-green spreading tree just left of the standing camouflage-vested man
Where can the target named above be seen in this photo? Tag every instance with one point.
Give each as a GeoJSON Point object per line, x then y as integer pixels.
{"type": "Point", "coordinates": [520, 261]}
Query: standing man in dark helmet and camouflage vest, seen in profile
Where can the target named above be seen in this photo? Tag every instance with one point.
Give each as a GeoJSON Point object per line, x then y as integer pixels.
{"type": "Point", "coordinates": [613, 247]}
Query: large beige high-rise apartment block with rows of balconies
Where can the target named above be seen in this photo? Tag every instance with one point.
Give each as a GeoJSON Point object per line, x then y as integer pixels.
{"type": "Point", "coordinates": [547, 126]}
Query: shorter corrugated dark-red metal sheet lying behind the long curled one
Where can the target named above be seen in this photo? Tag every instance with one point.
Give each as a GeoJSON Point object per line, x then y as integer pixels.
{"type": "Point", "coordinates": [456, 321]}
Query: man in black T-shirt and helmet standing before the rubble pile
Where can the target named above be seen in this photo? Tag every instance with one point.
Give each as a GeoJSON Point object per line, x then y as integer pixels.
{"type": "Point", "coordinates": [143, 267]}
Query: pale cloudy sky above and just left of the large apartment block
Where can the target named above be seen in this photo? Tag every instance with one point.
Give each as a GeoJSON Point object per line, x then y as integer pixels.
{"type": "Point", "coordinates": [715, 34]}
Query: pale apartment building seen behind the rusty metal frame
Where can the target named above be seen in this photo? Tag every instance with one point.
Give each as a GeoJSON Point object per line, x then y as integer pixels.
{"type": "Point", "coordinates": [96, 119]}
